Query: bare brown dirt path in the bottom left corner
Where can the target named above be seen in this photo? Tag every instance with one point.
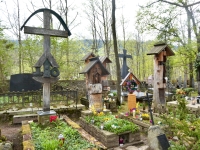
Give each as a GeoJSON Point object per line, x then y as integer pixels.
{"type": "Point", "coordinates": [12, 133]}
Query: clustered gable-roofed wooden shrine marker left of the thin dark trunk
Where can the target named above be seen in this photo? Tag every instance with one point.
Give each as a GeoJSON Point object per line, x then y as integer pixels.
{"type": "Point", "coordinates": [96, 79]}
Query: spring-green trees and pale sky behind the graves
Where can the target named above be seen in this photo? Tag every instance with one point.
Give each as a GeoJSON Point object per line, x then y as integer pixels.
{"type": "Point", "coordinates": [176, 22]}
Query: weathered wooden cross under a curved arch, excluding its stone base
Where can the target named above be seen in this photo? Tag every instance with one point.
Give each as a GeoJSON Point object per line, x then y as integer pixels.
{"type": "Point", "coordinates": [46, 57]}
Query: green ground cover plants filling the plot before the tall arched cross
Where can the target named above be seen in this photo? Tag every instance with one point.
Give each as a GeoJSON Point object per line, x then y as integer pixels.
{"type": "Point", "coordinates": [46, 137]}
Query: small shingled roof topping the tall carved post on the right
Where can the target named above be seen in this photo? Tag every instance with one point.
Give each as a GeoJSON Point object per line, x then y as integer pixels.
{"type": "Point", "coordinates": [159, 47]}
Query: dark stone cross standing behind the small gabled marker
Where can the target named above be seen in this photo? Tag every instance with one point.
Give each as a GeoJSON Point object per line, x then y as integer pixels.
{"type": "Point", "coordinates": [125, 68]}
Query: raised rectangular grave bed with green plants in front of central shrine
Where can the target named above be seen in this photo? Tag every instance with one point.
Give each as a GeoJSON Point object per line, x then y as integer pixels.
{"type": "Point", "coordinates": [108, 130]}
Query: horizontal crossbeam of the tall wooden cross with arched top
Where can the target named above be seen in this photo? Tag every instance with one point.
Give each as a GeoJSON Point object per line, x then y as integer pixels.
{"type": "Point", "coordinates": [42, 31]}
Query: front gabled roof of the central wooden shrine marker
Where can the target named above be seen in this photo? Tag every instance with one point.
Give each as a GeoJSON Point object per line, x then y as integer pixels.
{"type": "Point", "coordinates": [92, 62]}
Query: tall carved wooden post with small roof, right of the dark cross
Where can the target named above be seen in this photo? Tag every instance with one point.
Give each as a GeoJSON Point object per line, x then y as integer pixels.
{"type": "Point", "coordinates": [160, 51]}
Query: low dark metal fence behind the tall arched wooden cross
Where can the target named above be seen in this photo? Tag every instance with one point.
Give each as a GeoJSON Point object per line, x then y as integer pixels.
{"type": "Point", "coordinates": [23, 99]}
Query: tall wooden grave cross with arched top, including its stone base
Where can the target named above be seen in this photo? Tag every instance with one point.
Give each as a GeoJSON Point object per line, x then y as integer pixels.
{"type": "Point", "coordinates": [50, 67]}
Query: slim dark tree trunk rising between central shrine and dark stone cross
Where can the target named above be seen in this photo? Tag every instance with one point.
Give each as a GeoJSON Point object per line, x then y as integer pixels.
{"type": "Point", "coordinates": [116, 54]}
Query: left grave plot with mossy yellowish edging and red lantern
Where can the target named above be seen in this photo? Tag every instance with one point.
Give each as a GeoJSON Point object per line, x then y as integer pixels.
{"type": "Point", "coordinates": [57, 134]}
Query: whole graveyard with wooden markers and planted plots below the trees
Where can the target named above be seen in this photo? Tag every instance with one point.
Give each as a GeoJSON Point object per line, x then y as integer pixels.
{"type": "Point", "coordinates": [103, 108]}
